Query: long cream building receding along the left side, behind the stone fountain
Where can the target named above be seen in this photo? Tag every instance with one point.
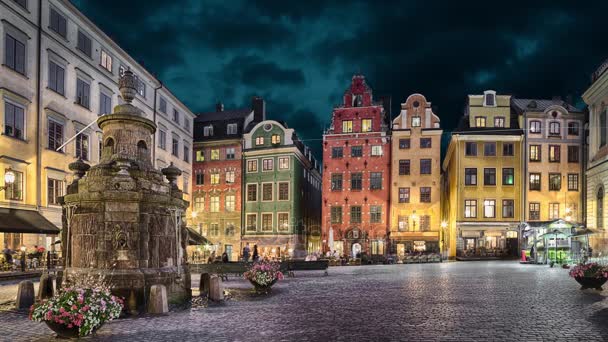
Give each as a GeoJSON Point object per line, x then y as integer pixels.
{"type": "Point", "coordinates": [59, 73]}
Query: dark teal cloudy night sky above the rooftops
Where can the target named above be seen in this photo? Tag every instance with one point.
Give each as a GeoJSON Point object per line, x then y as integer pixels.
{"type": "Point", "coordinates": [301, 55]}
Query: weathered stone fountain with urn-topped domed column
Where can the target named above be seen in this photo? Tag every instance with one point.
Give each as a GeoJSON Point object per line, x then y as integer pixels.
{"type": "Point", "coordinates": [122, 220]}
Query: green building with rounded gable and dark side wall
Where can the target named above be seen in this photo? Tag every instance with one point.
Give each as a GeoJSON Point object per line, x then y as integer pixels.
{"type": "Point", "coordinates": [282, 192]}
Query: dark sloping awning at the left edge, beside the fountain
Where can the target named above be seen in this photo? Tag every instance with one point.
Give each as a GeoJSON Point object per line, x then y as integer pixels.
{"type": "Point", "coordinates": [25, 221]}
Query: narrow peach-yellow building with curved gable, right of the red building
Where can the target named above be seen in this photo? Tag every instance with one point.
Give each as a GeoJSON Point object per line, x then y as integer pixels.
{"type": "Point", "coordinates": [415, 218]}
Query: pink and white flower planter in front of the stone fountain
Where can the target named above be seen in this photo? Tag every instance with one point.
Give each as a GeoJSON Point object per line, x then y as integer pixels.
{"type": "Point", "coordinates": [78, 311]}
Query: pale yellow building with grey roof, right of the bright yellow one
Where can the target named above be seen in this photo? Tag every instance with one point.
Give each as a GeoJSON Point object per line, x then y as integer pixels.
{"type": "Point", "coordinates": [553, 159]}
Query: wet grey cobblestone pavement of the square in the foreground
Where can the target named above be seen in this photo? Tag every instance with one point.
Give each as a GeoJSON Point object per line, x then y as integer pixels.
{"type": "Point", "coordinates": [466, 301]}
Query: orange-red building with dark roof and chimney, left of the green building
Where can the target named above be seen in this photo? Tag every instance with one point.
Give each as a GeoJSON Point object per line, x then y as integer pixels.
{"type": "Point", "coordinates": [217, 175]}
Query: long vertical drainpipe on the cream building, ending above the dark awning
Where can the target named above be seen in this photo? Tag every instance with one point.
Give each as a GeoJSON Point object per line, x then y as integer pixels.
{"type": "Point", "coordinates": [38, 111]}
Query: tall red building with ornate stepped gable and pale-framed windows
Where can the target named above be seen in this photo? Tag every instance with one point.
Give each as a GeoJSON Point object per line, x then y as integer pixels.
{"type": "Point", "coordinates": [356, 174]}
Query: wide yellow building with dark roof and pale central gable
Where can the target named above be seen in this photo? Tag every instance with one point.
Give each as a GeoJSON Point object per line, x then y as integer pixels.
{"type": "Point", "coordinates": [482, 179]}
